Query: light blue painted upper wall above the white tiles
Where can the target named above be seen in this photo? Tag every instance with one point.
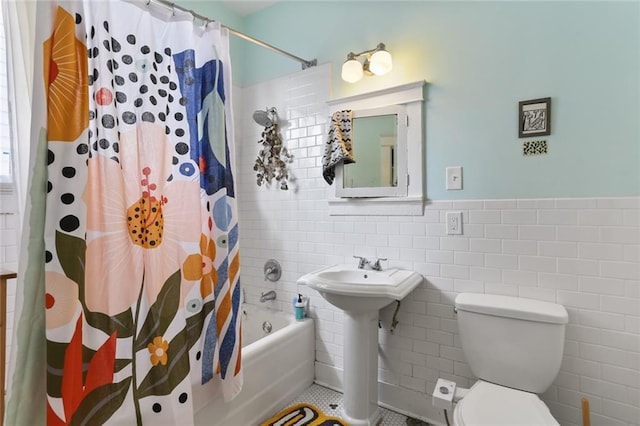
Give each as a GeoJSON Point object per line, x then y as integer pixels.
{"type": "Point", "coordinates": [479, 59]}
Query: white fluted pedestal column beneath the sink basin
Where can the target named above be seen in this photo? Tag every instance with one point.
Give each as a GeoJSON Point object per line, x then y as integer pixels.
{"type": "Point", "coordinates": [360, 376]}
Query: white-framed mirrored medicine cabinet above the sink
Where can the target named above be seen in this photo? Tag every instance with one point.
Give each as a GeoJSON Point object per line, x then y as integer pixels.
{"type": "Point", "coordinates": [387, 139]}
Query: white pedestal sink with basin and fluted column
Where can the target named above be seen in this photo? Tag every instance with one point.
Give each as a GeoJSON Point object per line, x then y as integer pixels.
{"type": "Point", "coordinates": [361, 293]}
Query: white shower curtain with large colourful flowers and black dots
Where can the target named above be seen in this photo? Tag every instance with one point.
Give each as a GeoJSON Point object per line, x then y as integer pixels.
{"type": "Point", "coordinates": [132, 229]}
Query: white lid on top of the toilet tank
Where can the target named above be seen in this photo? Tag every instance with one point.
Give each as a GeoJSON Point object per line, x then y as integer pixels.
{"type": "Point", "coordinates": [512, 307]}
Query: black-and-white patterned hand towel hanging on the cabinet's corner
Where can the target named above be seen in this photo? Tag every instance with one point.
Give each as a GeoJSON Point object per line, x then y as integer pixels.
{"type": "Point", "coordinates": [338, 147]}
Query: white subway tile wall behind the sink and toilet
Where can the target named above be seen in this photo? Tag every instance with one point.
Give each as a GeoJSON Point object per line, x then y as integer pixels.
{"type": "Point", "coordinates": [583, 253]}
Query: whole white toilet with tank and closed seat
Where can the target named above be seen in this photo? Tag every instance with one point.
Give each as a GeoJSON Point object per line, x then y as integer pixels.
{"type": "Point", "coordinates": [514, 347]}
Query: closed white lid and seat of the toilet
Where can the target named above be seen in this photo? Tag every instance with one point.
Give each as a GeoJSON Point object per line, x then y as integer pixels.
{"type": "Point", "coordinates": [492, 405]}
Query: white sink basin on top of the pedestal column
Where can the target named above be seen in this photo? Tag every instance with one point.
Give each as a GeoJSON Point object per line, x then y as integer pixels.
{"type": "Point", "coordinates": [360, 290]}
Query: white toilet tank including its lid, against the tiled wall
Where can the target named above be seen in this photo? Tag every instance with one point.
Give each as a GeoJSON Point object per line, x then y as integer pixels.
{"type": "Point", "coordinates": [512, 341]}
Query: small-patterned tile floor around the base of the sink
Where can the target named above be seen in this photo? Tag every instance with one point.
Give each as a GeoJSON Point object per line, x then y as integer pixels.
{"type": "Point", "coordinates": [330, 402]}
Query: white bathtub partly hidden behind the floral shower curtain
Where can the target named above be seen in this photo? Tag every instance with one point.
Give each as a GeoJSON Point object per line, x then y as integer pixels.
{"type": "Point", "coordinates": [277, 366]}
